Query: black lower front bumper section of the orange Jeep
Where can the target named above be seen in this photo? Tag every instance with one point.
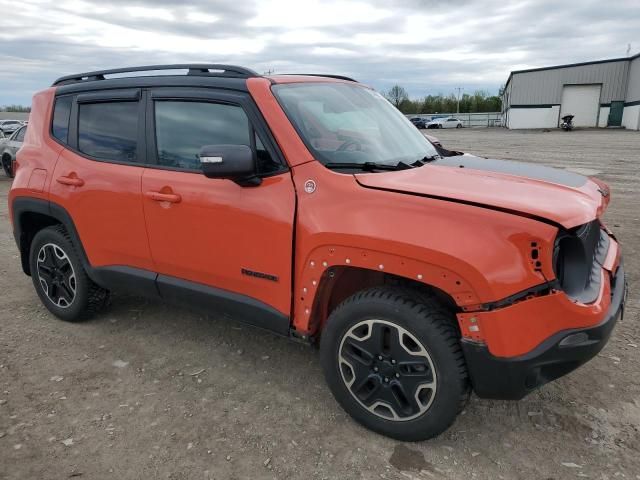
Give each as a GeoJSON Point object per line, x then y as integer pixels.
{"type": "Point", "coordinates": [513, 378]}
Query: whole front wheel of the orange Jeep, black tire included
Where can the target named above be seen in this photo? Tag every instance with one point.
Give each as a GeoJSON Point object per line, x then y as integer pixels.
{"type": "Point", "coordinates": [427, 321]}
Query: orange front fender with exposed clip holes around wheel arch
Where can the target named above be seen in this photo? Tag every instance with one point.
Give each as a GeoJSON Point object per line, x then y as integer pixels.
{"type": "Point", "coordinates": [439, 243]}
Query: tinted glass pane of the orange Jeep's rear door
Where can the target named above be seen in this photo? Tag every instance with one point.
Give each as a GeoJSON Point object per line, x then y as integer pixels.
{"type": "Point", "coordinates": [108, 130]}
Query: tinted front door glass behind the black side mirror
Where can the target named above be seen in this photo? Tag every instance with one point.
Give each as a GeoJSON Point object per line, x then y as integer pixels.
{"type": "Point", "coordinates": [183, 128]}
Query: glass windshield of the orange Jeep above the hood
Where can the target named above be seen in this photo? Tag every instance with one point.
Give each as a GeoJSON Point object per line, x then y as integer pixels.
{"type": "Point", "coordinates": [342, 123]}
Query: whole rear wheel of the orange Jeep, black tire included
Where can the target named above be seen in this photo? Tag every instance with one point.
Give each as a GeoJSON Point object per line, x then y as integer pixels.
{"type": "Point", "coordinates": [79, 297]}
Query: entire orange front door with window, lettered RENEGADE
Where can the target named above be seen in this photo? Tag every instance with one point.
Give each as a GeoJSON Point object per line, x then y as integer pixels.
{"type": "Point", "coordinates": [213, 232]}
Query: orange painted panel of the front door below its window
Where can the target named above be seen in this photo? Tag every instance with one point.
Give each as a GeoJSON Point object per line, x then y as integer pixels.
{"type": "Point", "coordinates": [218, 227]}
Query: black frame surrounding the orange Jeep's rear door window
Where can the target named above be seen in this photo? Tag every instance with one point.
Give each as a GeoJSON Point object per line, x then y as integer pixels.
{"type": "Point", "coordinates": [109, 96]}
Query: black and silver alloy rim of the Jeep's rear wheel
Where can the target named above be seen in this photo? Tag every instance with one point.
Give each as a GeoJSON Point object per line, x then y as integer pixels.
{"type": "Point", "coordinates": [56, 275]}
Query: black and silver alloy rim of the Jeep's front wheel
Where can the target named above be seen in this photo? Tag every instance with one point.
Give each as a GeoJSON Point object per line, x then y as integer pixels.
{"type": "Point", "coordinates": [387, 370]}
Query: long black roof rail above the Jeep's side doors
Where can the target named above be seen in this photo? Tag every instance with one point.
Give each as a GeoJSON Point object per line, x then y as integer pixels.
{"type": "Point", "coordinates": [201, 69]}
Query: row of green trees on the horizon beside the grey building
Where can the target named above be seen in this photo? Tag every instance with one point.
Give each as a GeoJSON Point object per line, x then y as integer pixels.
{"type": "Point", "coordinates": [478, 102]}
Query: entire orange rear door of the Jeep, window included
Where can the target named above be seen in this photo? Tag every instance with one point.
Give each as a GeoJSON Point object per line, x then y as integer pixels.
{"type": "Point", "coordinates": [97, 176]}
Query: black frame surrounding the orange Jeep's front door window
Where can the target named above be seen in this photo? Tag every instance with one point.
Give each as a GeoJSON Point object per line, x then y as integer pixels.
{"type": "Point", "coordinates": [257, 124]}
